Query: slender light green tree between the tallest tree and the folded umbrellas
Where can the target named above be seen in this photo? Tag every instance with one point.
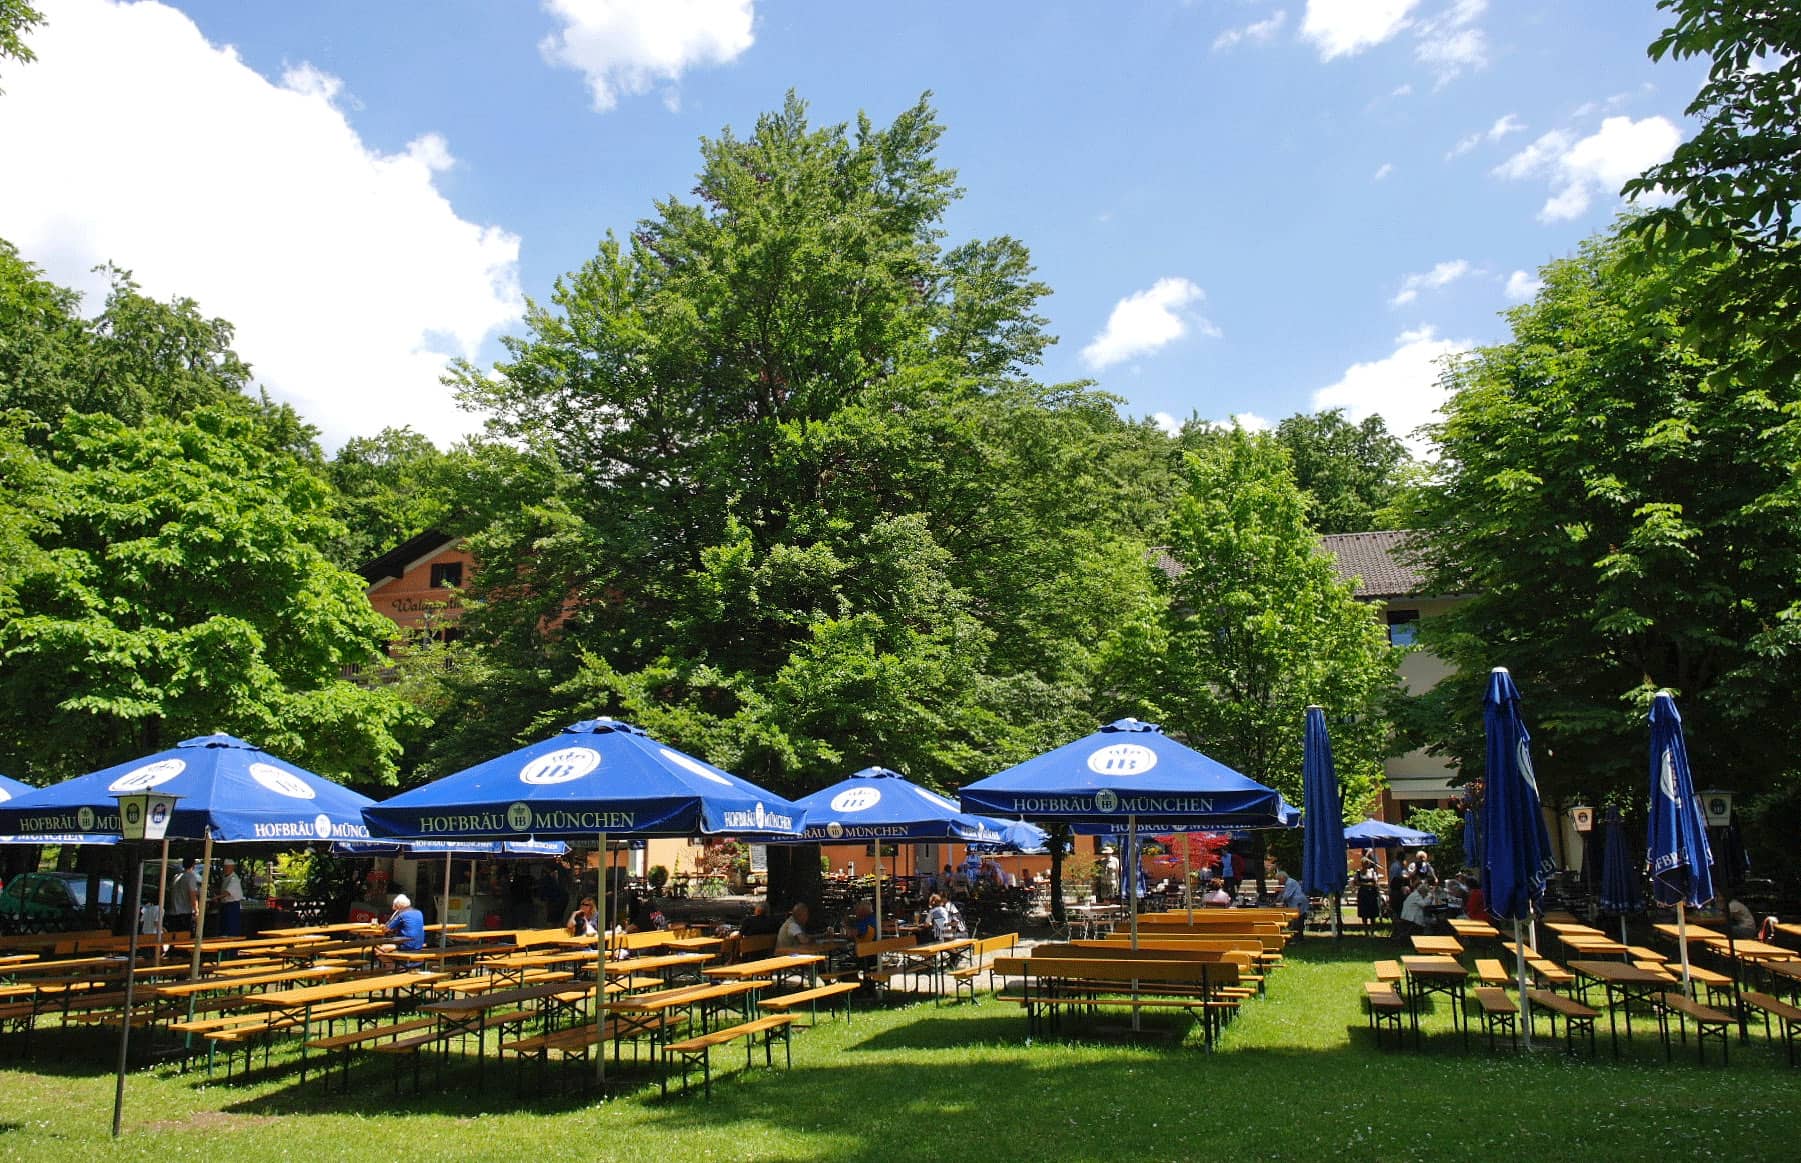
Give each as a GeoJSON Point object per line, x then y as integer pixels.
{"type": "Point", "coordinates": [1258, 627]}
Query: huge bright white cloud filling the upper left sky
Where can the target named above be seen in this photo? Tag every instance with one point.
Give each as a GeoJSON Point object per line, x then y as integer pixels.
{"type": "Point", "coordinates": [347, 271]}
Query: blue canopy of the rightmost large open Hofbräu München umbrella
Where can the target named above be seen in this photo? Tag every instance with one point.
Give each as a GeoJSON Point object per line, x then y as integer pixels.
{"type": "Point", "coordinates": [1127, 771]}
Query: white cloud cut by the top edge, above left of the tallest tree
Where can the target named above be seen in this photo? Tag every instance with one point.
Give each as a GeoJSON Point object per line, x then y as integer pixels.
{"type": "Point", "coordinates": [628, 48]}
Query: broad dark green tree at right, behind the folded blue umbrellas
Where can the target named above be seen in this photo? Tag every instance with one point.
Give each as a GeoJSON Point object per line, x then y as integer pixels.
{"type": "Point", "coordinates": [1624, 519]}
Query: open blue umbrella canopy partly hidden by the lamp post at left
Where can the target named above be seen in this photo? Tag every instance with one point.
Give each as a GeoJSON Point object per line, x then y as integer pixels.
{"type": "Point", "coordinates": [230, 791]}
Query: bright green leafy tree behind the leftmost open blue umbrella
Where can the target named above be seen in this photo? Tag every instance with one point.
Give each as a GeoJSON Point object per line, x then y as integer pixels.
{"type": "Point", "coordinates": [167, 582]}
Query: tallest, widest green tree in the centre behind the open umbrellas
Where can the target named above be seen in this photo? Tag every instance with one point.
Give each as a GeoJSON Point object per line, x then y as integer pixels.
{"type": "Point", "coordinates": [783, 489]}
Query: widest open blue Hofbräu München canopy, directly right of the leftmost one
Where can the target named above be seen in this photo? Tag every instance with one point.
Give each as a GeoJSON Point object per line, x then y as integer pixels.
{"type": "Point", "coordinates": [595, 777]}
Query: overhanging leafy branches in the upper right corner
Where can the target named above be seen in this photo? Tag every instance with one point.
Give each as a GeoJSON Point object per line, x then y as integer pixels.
{"type": "Point", "coordinates": [1735, 185]}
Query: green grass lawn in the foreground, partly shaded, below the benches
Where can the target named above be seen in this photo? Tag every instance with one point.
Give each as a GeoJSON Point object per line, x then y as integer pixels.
{"type": "Point", "coordinates": [1298, 1077]}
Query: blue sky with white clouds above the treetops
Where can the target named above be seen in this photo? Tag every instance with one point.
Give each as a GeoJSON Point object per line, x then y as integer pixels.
{"type": "Point", "coordinates": [1244, 206]}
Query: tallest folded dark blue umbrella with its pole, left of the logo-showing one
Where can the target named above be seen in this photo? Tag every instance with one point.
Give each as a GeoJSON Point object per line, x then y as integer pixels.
{"type": "Point", "coordinates": [1519, 845]}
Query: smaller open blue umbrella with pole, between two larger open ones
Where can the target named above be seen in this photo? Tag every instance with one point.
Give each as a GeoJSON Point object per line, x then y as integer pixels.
{"type": "Point", "coordinates": [885, 807]}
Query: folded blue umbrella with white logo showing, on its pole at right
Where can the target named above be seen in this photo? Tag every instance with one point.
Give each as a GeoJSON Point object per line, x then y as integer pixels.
{"type": "Point", "coordinates": [1678, 849]}
